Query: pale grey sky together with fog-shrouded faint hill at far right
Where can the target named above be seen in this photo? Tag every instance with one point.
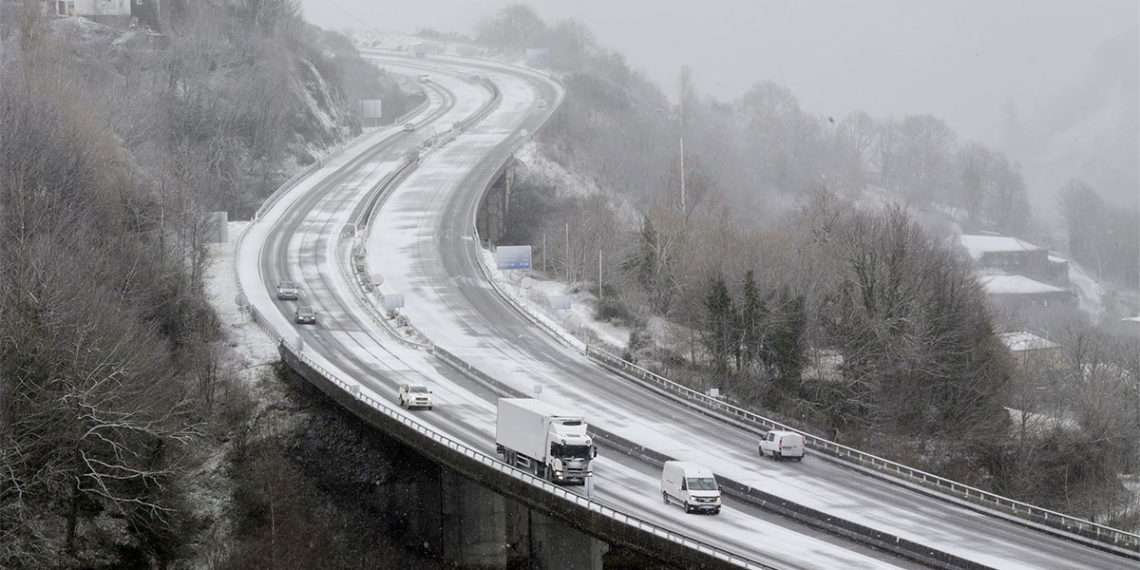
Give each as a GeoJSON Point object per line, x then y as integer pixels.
{"type": "Point", "coordinates": [1053, 84]}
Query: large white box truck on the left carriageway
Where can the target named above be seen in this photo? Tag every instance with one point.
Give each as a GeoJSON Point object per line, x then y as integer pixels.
{"type": "Point", "coordinates": [547, 441]}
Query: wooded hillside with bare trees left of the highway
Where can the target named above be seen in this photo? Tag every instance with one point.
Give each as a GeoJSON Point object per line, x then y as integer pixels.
{"type": "Point", "coordinates": [119, 411]}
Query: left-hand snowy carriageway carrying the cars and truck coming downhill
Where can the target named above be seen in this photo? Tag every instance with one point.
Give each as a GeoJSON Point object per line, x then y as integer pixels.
{"type": "Point", "coordinates": [303, 239]}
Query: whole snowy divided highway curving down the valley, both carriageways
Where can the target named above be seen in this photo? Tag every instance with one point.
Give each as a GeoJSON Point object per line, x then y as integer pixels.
{"type": "Point", "coordinates": [422, 246]}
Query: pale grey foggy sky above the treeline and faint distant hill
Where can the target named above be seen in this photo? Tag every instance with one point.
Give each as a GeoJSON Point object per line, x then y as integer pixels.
{"type": "Point", "coordinates": [959, 60]}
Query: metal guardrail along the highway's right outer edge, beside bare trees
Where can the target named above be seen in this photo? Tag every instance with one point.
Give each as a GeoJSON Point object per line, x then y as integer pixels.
{"type": "Point", "coordinates": [1069, 524]}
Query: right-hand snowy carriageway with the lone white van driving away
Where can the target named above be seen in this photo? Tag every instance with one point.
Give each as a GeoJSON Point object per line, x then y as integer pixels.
{"type": "Point", "coordinates": [422, 246]}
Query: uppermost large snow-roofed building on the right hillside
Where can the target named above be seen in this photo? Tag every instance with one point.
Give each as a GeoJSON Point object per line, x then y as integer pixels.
{"type": "Point", "coordinates": [1014, 256]}
